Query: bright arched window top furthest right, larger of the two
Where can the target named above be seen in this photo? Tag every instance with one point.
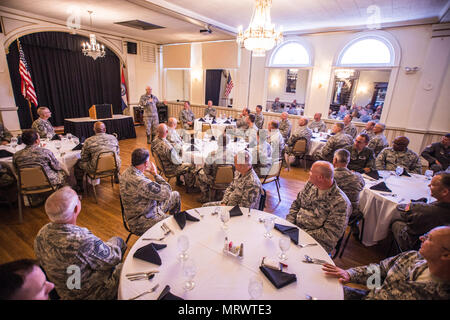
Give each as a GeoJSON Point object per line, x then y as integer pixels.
{"type": "Point", "coordinates": [367, 51]}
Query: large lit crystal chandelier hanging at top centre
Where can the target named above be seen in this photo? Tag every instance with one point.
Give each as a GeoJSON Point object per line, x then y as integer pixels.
{"type": "Point", "coordinates": [260, 35]}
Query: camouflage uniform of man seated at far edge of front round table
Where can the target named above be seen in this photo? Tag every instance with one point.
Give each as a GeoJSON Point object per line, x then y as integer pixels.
{"type": "Point", "coordinates": [244, 191]}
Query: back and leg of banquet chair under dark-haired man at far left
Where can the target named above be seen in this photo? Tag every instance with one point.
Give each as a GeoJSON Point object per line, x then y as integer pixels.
{"type": "Point", "coordinates": [32, 180]}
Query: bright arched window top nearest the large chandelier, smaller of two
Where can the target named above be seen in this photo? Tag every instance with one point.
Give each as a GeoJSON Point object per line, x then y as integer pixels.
{"type": "Point", "coordinates": [290, 54]}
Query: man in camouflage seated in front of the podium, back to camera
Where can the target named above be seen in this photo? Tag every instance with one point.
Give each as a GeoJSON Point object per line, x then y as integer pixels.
{"type": "Point", "coordinates": [92, 148]}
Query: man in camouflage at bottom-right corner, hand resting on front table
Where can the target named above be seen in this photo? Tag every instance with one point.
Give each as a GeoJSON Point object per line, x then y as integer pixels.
{"type": "Point", "coordinates": [411, 275]}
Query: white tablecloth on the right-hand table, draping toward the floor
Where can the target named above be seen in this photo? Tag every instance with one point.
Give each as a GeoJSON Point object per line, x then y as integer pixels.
{"type": "Point", "coordinates": [379, 206]}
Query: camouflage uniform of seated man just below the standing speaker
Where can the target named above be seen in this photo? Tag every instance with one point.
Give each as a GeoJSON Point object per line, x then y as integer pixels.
{"type": "Point", "coordinates": [172, 162]}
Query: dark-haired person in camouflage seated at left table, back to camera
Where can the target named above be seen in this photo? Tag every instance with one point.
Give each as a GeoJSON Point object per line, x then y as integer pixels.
{"type": "Point", "coordinates": [33, 154]}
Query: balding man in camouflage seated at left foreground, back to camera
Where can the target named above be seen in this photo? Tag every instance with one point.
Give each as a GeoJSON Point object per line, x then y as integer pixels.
{"type": "Point", "coordinates": [66, 251]}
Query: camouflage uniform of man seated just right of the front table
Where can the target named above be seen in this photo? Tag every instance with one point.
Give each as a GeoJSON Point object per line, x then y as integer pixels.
{"type": "Point", "coordinates": [322, 214]}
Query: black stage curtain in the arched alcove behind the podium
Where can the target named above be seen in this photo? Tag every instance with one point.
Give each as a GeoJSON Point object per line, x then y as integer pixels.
{"type": "Point", "coordinates": [66, 81]}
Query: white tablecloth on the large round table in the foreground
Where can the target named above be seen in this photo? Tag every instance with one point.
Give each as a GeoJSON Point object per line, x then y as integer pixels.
{"type": "Point", "coordinates": [221, 276]}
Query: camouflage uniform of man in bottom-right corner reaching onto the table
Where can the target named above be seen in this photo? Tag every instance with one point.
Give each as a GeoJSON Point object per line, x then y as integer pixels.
{"type": "Point", "coordinates": [400, 279]}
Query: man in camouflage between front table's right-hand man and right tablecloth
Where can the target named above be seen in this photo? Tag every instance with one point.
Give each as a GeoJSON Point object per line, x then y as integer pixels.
{"type": "Point", "coordinates": [350, 182]}
